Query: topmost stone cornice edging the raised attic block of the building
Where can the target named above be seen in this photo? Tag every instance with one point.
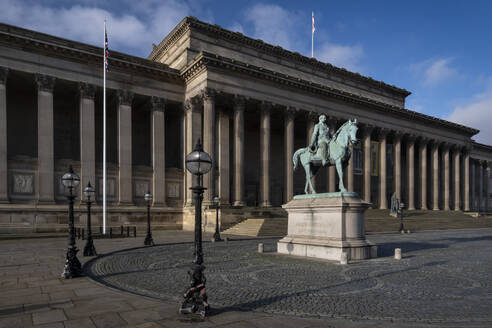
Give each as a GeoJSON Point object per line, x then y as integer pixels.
{"type": "Point", "coordinates": [189, 22]}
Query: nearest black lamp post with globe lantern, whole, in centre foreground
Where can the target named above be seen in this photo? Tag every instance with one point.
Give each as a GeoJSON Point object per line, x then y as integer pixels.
{"type": "Point", "coordinates": [198, 163]}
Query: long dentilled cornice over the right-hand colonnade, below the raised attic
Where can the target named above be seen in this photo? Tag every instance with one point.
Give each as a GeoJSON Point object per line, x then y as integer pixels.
{"type": "Point", "coordinates": [205, 60]}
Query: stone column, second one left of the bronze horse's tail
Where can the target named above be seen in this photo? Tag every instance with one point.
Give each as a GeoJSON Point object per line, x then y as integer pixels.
{"type": "Point", "coordinates": [265, 153]}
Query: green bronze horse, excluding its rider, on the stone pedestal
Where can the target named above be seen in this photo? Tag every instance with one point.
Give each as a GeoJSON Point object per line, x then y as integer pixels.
{"type": "Point", "coordinates": [338, 155]}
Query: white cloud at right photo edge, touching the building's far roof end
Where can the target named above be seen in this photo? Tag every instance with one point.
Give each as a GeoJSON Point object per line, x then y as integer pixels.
{"type": "Point", "coordinates": [476, 113]}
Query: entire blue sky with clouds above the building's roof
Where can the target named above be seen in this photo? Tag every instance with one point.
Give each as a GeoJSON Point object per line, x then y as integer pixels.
{"type": "Point", "coordinates": [439, 50]}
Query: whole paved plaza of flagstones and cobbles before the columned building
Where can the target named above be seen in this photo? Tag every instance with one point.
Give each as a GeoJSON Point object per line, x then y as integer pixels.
{"type": "Point", "coordinates": [444, 280]}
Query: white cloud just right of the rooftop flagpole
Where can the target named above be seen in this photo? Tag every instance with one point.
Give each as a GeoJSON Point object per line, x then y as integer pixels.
{"type": "Point", "coordinates": [342, 56]}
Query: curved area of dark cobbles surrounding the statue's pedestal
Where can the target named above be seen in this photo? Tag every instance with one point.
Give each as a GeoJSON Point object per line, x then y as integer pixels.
{"type": "Point", "coordinates": [444, 277]}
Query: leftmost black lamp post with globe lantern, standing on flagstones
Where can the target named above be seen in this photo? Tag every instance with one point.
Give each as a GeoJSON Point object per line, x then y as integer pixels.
{"type": "Point", "coordinates": [73, 268]}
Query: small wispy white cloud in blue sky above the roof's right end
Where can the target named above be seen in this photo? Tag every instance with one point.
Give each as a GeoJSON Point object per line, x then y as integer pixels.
{"type": "Point", "coordinates": [435, 72]}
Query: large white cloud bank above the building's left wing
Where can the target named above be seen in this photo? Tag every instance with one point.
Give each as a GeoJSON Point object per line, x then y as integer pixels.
{"type": "Point", "coordinates": [148, 23]}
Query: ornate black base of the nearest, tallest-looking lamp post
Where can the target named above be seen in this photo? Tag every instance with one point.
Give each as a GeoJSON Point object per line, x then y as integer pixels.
{"type": "Point", "coordinates": [195, 298]}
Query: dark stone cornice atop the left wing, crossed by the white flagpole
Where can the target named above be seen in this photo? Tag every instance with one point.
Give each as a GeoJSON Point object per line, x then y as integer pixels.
{"type": "Point", "coordinates": [32, 41]}
